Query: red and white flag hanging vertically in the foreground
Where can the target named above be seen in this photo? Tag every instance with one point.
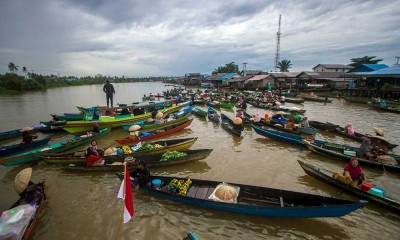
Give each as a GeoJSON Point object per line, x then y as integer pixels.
{"type": "Point", "coordinates": [125, 192]}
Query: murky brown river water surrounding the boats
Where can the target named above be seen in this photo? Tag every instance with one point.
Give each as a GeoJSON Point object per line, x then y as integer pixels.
{"type": "Point", "coordinates": [85, 206]}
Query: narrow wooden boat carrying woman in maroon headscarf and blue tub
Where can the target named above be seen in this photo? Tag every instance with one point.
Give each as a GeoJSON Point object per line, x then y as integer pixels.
{"type": "Point", "coordinates": [326, 176]}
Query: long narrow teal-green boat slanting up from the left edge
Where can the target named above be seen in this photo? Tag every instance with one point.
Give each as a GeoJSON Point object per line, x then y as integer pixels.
{"type": "Point", "coordinates": [62, 146]}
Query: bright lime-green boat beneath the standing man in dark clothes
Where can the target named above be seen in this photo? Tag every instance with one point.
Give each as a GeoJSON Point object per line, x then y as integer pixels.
{"type": "Point", "coordinates": [117, 116]}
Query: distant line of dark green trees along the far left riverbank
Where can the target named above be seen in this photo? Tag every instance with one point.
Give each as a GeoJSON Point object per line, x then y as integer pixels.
{"type": "Point", "coordinates": [12, 82]}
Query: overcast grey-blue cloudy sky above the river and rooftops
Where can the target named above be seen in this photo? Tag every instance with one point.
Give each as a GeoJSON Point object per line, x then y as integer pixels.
{"type": "Point", "coordinates": [171, 37]}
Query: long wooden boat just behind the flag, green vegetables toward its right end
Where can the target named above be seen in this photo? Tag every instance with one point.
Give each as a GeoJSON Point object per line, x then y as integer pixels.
{"type": "Point", "coordinates": [152, 161]}
